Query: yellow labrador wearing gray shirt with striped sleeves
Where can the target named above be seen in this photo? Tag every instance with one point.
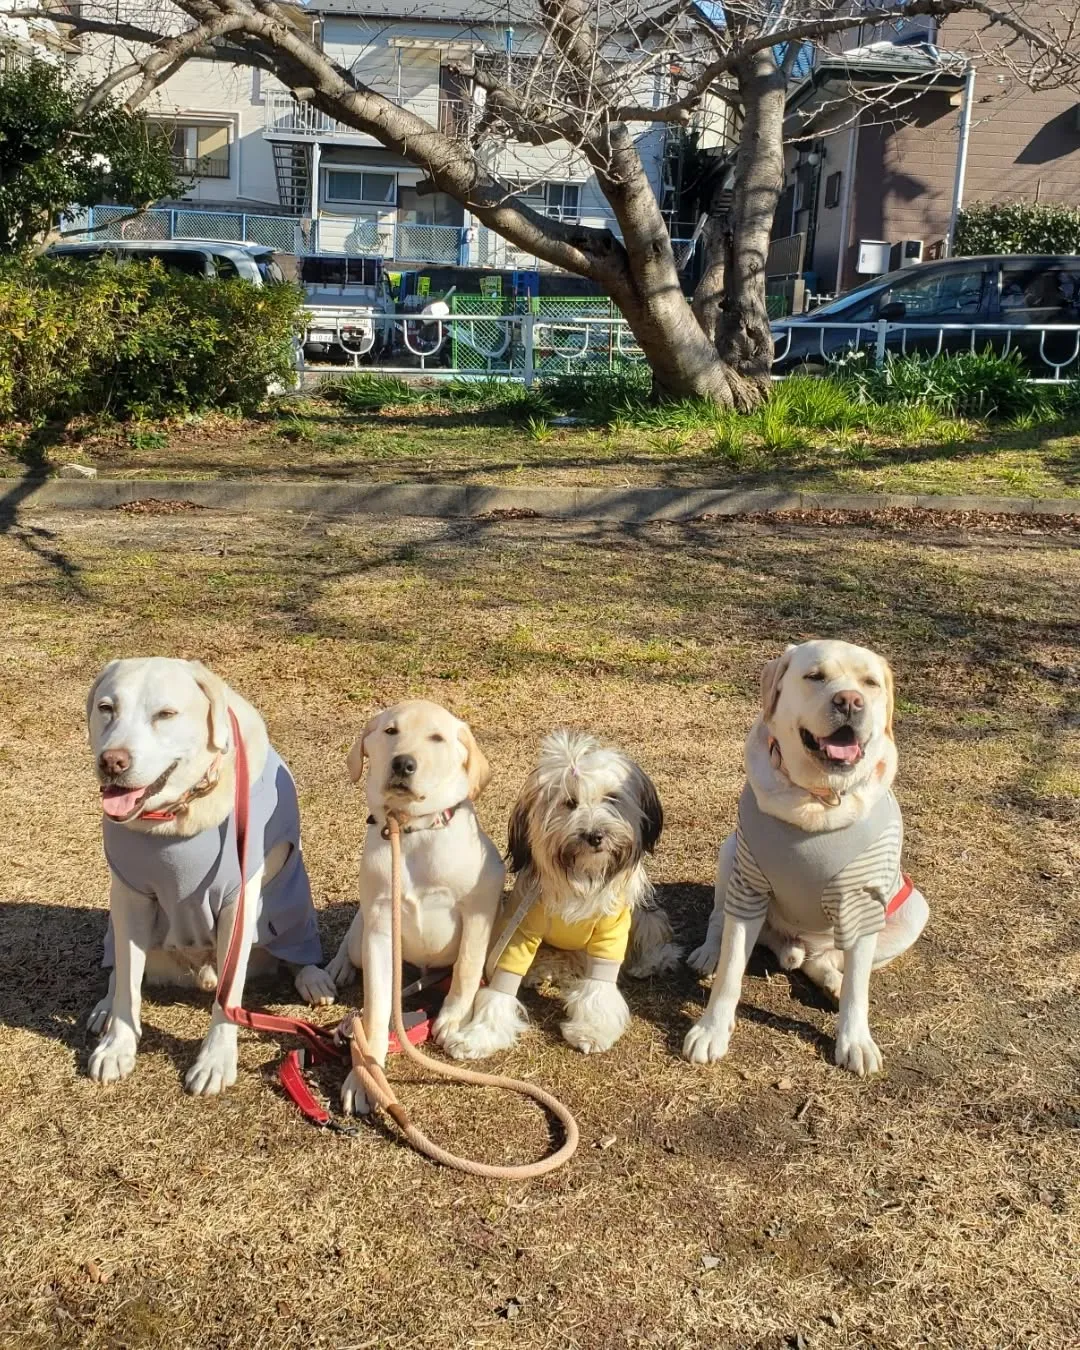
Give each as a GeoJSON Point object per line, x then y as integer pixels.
{"type": "Point", "coordinates": [813, 870]}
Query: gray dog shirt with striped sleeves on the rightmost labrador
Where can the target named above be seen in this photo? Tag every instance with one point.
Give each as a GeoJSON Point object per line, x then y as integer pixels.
{"type": "Point", "coordinates": [842, 880]}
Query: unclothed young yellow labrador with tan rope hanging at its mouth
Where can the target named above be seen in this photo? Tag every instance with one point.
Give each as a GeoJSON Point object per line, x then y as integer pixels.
{"type": "Point", "coordinates": [427, 769]}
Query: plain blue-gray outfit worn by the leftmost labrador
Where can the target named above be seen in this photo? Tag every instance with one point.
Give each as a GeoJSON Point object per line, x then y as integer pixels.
{"type": "Point", "coordinates": [194, 880]}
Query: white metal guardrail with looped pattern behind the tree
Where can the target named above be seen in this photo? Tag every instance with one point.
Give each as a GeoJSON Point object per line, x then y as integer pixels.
{"type": "Point", "coordinates": [526, 346]}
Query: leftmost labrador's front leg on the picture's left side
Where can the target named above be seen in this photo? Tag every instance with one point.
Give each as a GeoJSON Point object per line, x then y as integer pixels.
{"type": "Point", "coordinates": [133, 931]}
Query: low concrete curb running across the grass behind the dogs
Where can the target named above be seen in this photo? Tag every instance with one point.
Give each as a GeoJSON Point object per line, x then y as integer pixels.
{"type": "Point", "coordinates": [627, 506]}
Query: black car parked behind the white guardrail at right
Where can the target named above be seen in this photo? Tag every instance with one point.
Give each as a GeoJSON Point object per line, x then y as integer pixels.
{"type": "Point", "coordinates": [942, 307]}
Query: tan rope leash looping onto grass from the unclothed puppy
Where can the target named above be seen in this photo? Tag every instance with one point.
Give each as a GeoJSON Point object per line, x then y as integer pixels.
{"type": "Point", "coordinates": [383, 1096]}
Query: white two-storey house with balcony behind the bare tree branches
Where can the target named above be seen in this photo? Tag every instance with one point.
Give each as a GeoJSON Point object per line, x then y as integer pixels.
{"type": "Point", "coordinates": [252, 148]}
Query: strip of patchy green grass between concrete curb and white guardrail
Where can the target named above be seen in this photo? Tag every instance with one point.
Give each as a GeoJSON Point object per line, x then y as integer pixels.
{"type": "Point", "coordinates": [314, 439]}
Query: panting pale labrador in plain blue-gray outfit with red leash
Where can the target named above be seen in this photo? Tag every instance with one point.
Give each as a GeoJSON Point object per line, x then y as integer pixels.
{"type": "Point", "coordinates": [165, 759]}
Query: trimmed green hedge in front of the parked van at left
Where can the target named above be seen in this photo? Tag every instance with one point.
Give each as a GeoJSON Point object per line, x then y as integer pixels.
{"type": "Point", "coordinates": [137, 341]}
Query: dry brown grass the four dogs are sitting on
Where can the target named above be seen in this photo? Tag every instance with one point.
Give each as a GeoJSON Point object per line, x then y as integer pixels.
{"type": "Point", "coordinates": [934, 1206]}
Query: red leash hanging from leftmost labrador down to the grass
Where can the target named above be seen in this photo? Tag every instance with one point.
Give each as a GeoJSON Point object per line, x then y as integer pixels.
{"type": "Point", "coordinates": [321, 1043]}
